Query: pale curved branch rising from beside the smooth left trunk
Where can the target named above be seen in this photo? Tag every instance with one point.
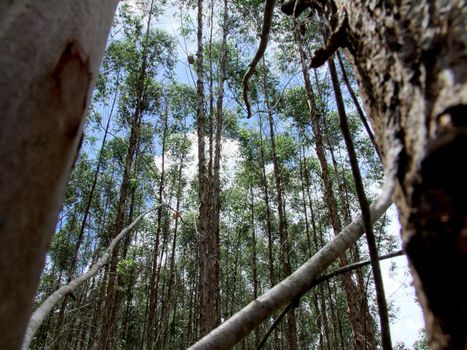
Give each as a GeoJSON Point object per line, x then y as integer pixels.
{"type": "Point", "coordinates": [46, 307]}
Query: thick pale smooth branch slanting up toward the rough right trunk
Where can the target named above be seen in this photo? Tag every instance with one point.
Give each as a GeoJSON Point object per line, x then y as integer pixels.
{"type": "Point", "coordinates": [243, 322]}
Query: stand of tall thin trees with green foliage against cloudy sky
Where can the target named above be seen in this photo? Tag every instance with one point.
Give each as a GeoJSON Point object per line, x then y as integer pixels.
{"type": "Point", "coordinates": [141, 150]}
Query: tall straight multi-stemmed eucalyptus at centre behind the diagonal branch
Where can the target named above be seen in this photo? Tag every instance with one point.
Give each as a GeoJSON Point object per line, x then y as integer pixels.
{"type": "Point", "coordinates": [209, 169]}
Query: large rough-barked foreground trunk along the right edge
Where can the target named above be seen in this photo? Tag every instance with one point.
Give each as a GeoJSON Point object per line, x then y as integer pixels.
{"type": "Point", "coordinates": [411, 60]}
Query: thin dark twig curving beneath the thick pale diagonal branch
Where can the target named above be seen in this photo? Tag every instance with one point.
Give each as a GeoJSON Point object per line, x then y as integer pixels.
{"type": "Point", "coordinates": [320, 280]}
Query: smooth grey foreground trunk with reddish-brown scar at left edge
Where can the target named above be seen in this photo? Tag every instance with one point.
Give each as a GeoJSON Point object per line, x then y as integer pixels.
{"type": "Point", "coordinates": [50, 53]}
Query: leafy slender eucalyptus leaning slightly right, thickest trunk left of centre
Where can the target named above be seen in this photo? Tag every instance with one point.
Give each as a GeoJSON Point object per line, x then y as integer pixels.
{"type": "Point", "coordinates": [151, 52]}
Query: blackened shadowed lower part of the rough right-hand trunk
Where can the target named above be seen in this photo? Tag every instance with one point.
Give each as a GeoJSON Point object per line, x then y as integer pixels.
{"type": "Point", "coordinates": [437, 249]}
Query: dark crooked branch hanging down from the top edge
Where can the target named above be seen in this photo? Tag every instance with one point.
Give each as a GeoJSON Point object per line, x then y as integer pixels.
{"type": "Point", "coordinates": [267, 21]}
